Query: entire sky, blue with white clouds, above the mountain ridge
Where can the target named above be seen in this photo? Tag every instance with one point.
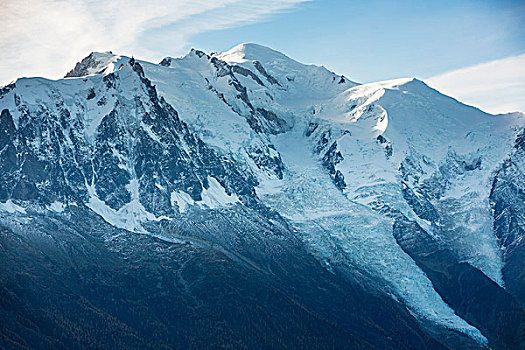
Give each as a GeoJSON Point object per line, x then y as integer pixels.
{"type": "Point", "coordinates": [364, 40]}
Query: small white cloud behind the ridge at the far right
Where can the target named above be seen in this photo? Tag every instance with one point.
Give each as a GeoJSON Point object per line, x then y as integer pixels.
{"type": "Point", "coordinates": [496, 87]}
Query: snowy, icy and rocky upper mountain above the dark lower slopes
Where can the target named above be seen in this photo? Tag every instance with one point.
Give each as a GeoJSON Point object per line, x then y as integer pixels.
{"type": "Point", "coordinates": [147, 146]}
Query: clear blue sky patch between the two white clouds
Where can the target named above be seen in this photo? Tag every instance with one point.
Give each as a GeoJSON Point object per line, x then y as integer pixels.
{"type": "Point", "coordinates": [378, 40]}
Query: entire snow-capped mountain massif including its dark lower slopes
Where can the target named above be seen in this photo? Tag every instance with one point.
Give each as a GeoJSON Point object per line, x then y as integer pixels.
{"type": "Point", "coordinates": [382, 215]}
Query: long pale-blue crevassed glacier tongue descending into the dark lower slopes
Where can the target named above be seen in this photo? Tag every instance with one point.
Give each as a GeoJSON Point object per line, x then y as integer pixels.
{"type": "Point", "coordinates": [348, 235]}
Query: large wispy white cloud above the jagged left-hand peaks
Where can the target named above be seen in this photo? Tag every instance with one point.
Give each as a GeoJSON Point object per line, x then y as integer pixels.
{"type": "Point", "coordinates": [46, 37]}
